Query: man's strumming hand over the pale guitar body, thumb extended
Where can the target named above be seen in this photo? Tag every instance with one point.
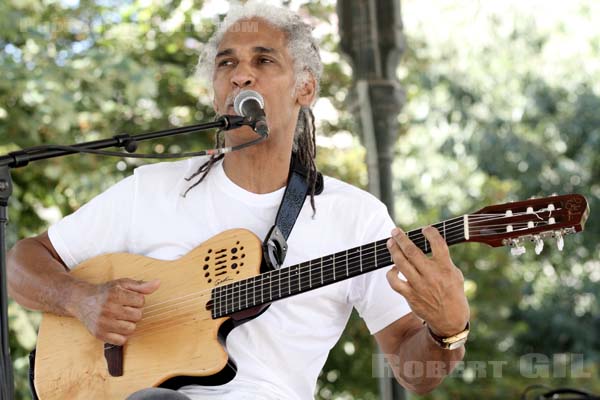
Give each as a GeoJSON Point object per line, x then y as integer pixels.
{"type": "Point", "coordinates": [110, 311]}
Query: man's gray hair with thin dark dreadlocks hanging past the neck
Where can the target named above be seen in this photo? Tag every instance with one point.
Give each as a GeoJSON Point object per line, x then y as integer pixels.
{"type": "Point", "coordinates": [307, 63]}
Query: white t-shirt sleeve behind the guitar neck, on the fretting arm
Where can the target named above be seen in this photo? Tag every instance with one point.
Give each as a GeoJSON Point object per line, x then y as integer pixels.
{"type": "Point", "coordinates": [376, 302]}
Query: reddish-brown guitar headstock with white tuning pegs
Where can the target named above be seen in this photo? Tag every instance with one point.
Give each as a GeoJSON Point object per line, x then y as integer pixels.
{"type": "Point", "coordinates": [513, 224]}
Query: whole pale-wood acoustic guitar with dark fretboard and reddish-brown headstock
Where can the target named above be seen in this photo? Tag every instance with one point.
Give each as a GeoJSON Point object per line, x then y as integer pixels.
{"type": "Point", "coordinates": [219, 285]}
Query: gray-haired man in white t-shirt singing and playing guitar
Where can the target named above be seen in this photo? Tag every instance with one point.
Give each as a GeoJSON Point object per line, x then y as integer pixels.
{"type": "Point", "coordinates": [415, 309]}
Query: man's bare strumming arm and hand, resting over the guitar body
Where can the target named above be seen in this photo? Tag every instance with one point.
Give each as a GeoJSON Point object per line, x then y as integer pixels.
{"type": "Point", "coordinates": [39, 280]}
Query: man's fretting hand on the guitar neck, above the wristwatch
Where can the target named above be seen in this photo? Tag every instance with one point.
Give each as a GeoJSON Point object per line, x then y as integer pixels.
{"type": "Point", "coordinates": [434, 286]}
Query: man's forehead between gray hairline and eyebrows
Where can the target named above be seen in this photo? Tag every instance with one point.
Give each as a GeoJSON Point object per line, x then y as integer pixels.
{"type": "Point", "coordinates": [253, 33]}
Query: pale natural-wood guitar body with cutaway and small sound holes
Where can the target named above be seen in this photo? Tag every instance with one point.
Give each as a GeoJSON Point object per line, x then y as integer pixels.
{"type": "Point", "coordinates": [177, 342]}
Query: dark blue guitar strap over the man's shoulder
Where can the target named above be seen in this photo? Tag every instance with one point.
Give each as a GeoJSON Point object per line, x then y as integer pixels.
{"type": "Point", "coordinates": [275, 244]}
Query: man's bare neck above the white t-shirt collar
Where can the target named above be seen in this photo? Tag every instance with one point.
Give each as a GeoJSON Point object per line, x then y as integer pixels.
{"type": "Point", "coordinates": [262, 168]}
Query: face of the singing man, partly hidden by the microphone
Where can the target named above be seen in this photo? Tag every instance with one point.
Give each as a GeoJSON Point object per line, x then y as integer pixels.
{"type": "Point", "coordinates": [257, 59]}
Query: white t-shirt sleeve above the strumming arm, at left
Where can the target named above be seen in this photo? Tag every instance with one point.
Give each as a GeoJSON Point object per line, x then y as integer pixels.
{"type": "Point", "coordinates": [101, 226]}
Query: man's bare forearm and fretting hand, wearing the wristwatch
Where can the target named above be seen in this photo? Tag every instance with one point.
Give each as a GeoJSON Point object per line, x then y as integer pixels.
{"type": "Point", "coordinates": [434, 289]}
